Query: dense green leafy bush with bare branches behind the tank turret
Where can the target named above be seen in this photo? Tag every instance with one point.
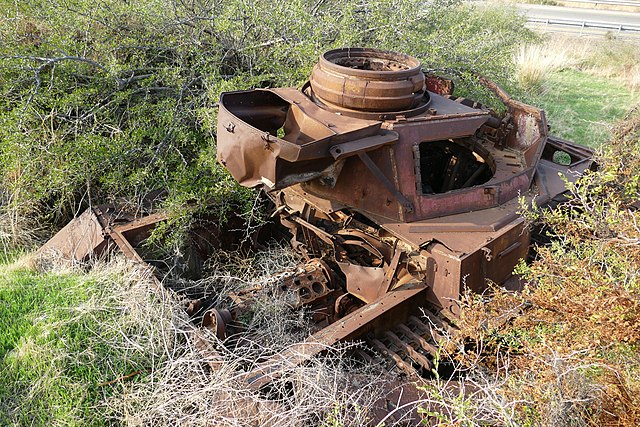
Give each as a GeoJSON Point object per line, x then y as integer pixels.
{"type": "Point", "coordinates": [110, 100]}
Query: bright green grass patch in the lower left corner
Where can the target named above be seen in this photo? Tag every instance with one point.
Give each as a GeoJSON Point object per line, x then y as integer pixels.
{"type": "Point", "coordinates": [61, 336]}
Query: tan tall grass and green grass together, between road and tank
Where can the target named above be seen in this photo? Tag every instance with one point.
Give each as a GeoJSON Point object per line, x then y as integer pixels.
{"type": "Point", "coordinates": [585, 85]}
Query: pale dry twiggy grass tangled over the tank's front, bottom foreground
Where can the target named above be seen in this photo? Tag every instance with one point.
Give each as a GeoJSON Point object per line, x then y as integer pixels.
{"type": "Point", "coordinates": [181, 387]}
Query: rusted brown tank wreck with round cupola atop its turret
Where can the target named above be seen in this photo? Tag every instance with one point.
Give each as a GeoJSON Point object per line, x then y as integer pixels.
{"type": "Point", "coordinates": [400, 195]}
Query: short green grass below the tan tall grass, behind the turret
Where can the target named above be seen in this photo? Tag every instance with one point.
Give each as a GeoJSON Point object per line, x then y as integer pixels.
{"type": "Point", "coordinates": [582, 107]}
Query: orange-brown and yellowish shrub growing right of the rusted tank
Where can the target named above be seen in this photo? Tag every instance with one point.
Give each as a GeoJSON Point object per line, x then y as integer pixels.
{"type": "Point", "coordinates": [567, 347]}
